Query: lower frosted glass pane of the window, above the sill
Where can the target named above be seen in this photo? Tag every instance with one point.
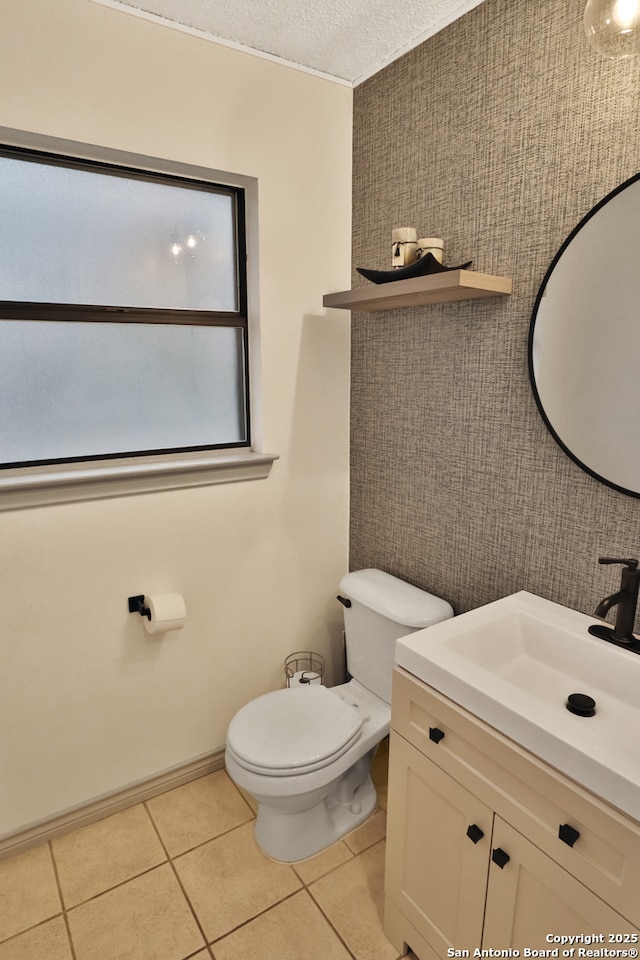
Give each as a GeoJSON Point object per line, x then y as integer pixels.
{"type": "Point", "coordinates": [80, 390]}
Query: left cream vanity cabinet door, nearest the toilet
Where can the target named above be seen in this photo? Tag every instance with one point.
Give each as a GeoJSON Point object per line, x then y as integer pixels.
{"type": "Point", "coordinates": [435, 874]}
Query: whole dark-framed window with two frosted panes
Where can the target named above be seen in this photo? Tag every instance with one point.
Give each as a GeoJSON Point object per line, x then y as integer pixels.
{"type": "Point", "coordinates": [124, 326]}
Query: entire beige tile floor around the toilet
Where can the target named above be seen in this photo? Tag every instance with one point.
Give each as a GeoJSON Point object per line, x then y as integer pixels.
{"type": "Point", "coordinates": [180, 876]}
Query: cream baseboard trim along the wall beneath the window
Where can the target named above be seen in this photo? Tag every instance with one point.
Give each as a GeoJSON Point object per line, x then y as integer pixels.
{"type": "Point", "coordinates": [85, 813]}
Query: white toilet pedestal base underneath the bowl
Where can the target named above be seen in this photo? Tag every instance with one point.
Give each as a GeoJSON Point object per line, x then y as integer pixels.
{"type": "Point", "coordinates": [290, 835]}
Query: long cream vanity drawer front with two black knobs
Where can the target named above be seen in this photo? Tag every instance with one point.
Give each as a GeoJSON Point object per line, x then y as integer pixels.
{"type": "Point", "coordinates": [536, 799]}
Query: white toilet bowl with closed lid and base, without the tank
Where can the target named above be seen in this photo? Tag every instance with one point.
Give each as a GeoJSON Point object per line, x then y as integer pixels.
{"type": "Point", "coordinates": [305, 756]}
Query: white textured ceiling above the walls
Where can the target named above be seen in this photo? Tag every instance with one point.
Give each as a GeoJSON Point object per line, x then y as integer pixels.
{"type": "Point", "coordinates": [346, 39]}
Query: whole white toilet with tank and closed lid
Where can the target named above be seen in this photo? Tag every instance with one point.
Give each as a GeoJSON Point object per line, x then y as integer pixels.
{"type": "Point", "coordinates": [304, 753]}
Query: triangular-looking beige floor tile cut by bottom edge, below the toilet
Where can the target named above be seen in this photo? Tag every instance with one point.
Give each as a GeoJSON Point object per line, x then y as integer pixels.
{"type": "Point", "coordinates": [294, 930]}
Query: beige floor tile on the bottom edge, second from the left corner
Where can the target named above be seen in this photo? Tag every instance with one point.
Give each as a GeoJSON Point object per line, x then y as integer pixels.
{"type": "Point", "coordinates": [145, 919]}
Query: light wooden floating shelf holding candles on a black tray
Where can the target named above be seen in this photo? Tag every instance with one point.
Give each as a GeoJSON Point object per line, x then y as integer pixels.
{"type": "Point", "coordinates": [433, 288]}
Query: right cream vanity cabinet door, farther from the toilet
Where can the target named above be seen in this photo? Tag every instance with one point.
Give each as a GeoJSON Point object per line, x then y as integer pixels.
{"type": "Point", "coordinates": [531, 896]}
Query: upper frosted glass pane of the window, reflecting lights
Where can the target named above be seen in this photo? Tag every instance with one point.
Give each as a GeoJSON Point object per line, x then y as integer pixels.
{"type": "Point", "coordinates": [84, 236]}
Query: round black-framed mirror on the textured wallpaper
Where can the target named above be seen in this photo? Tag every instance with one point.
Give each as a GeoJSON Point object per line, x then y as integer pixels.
{"type": "Point", "coordinates": [584, 342]}
